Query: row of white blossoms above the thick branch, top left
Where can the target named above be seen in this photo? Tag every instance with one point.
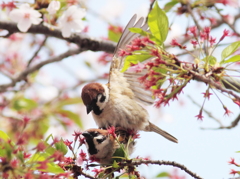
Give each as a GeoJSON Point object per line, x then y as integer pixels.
{"type": "Point", "coordinates": [68, 21]}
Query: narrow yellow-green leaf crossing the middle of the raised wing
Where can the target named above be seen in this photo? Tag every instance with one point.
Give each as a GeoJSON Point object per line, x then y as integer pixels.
{"type": "Point", "coordinates": [134, 59]}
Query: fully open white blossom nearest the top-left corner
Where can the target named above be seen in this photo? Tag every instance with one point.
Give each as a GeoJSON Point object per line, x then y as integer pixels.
{"type": "Point", "coordinates": [25, 16]}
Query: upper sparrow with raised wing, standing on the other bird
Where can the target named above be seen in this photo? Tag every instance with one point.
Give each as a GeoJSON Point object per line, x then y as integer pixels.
{"type": "Point", "coordinates": [116, 103]}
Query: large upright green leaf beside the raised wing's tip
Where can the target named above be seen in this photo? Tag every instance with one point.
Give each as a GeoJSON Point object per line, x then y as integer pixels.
{"type": "Point", "coordinates": [158, 23]}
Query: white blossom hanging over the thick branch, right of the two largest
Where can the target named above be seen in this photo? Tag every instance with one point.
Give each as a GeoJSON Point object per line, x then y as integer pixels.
{"type": "Point", "coordinates": [72, 20]}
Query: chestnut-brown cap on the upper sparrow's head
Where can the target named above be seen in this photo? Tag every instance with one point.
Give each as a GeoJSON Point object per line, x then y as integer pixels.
{"type": "Point", "coordinates": [90, 92]}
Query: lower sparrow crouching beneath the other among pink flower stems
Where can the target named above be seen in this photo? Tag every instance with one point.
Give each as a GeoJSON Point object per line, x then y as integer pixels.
{"type": "Point", "coordinates": [102, 146]}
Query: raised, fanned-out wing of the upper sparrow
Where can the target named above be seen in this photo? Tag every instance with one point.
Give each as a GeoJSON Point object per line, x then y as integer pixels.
{"type": "Point", "coordinates": [127, 82]}
